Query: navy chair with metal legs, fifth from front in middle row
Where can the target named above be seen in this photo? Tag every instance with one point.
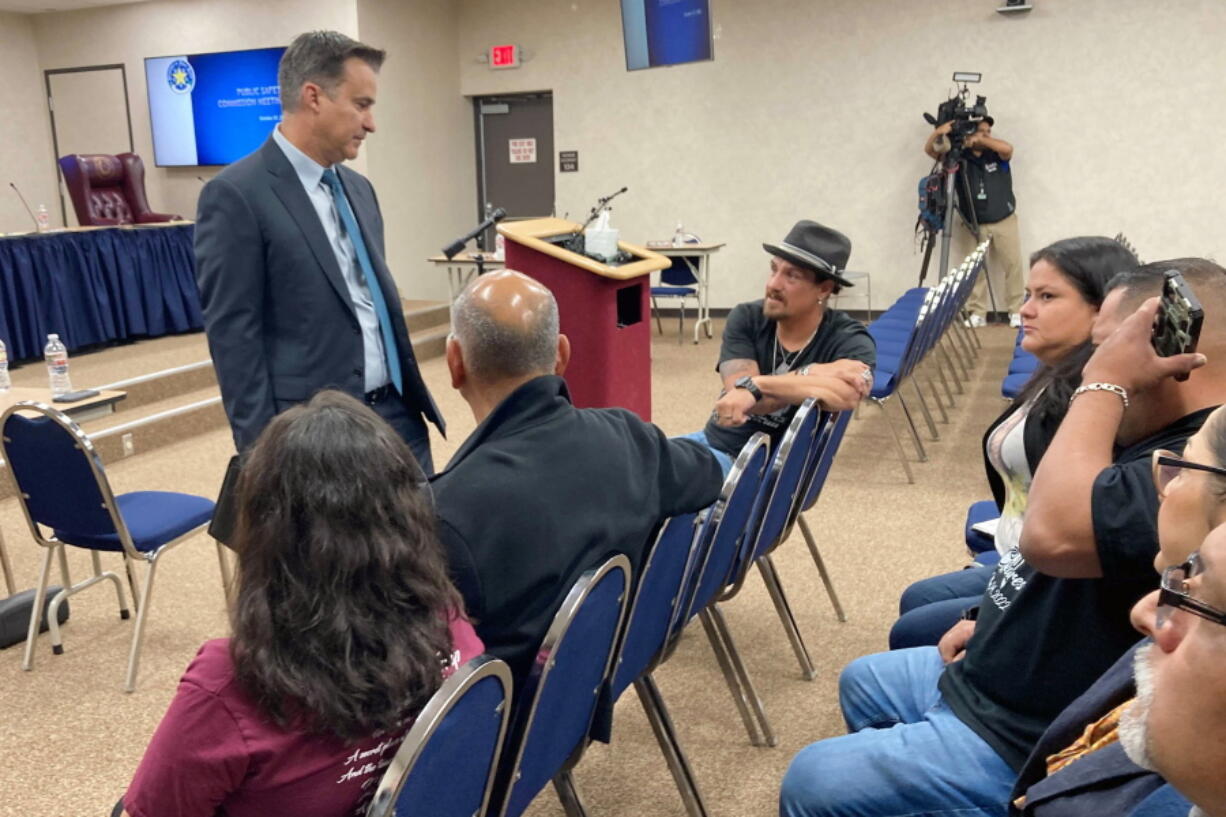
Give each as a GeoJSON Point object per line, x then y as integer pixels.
{"type": "Point", "coordinates": [779, 496]}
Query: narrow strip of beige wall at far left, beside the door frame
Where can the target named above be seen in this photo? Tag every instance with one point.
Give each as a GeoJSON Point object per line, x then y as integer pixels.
{"type": "Point", "coordinates": [26, 155]}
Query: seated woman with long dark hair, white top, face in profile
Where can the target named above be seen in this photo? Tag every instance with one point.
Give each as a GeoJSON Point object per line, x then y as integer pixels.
{"type": "Point", "coordinates": [1066, 288]}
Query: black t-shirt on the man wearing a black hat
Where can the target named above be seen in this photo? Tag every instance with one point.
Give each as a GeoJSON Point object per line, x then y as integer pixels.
{"type": "Point", "coordinates": [751, 336]}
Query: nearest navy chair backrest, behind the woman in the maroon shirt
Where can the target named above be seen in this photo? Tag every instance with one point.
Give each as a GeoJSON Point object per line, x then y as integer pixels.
{"type": "Point", "coordinates": [446, 767]}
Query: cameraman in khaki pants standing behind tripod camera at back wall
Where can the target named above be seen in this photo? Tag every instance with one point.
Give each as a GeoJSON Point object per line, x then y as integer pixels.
{"type": "Point", "coordinates": [991, 185]}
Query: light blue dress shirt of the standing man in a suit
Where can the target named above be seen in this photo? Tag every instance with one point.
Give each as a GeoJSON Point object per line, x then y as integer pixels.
{"type": "Point", "coordinates": [311, 174]}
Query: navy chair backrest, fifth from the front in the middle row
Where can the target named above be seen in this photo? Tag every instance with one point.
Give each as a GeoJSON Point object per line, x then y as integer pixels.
{"type": "Point", "coordinates": [785, 485]}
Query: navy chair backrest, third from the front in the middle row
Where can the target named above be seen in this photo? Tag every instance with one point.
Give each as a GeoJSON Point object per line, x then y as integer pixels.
{"type": "Point", "coordinates": [660, 588]}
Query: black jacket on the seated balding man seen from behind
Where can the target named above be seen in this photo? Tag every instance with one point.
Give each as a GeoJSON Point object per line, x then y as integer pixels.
{"type": "Point", "coordinates": [544, 491]}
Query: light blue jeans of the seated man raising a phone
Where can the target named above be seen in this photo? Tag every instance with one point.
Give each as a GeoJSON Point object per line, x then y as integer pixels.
{"type": "Point", "coordinates": [908, 754]}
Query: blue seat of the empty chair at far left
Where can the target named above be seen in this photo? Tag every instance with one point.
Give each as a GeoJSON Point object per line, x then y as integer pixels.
{"type": "Point", "coordinates": [154, 518]}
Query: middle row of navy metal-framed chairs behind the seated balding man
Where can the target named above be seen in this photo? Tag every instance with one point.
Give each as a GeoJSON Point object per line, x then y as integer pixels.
{"type": "Point", "coordinates": [604, 641]}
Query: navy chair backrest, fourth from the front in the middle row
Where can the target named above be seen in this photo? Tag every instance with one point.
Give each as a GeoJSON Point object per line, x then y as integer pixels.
{"type": "Point", "coordinates": [735, 521]}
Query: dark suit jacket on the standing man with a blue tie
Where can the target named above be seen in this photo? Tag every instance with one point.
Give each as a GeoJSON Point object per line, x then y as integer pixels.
{"type": "Point", "coordinates": [278, 312]}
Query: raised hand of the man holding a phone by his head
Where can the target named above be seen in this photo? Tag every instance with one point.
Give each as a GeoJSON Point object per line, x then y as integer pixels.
{"type": "Point", "coordinates": [1127, 358]}
